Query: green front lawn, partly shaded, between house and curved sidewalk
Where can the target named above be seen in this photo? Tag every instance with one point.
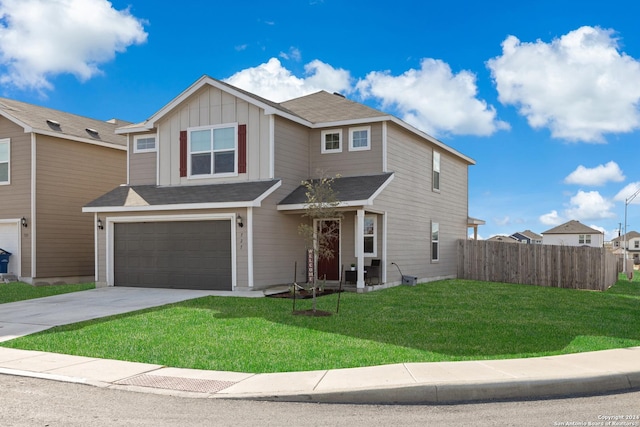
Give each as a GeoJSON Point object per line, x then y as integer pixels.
{"type": "Point", "coordinates": [440, 321]}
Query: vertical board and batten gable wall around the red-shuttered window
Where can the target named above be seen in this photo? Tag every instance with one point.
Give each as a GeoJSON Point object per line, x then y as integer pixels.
{"type": "Point", "coordinates": [211, 106]}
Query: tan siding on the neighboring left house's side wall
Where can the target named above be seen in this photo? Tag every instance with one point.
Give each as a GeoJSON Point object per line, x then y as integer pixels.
{"type": "Point", "coordinates": [69, 175]}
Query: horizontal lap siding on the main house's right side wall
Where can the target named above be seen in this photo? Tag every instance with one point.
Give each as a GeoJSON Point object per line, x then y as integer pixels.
{"type": "Point", "coordinates": [411, 159]}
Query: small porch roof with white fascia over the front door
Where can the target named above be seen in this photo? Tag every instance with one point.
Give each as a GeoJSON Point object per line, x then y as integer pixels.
{"type": "Point", "coordinates": [349, 191]}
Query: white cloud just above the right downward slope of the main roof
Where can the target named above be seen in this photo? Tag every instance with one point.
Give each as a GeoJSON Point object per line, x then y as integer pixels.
{"type": "Point", "coordinates": [434, 99]}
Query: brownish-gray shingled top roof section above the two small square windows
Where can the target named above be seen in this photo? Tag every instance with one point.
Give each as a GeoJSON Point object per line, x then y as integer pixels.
{"type": "Point", "coordinates": [323, 107]}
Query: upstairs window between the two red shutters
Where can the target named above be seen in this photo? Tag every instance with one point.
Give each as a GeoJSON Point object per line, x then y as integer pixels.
{"type": "Point", "coordinates": [212, 150]}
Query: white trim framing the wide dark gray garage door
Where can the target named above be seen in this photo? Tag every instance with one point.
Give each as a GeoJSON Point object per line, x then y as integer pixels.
{"type": "Point", "coordinates": [109, 229]}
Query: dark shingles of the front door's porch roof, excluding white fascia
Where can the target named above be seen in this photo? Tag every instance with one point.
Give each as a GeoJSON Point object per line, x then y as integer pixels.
{"type": "Point", "coordinates": [346, 189]}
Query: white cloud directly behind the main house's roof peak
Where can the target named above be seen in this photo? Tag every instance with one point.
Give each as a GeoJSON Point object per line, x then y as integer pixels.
{"type": "Point", "coordinates": [274, 82]}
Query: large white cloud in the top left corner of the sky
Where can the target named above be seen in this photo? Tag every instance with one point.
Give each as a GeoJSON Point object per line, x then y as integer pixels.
{"type": "Point", "coordinates": [42, 38]}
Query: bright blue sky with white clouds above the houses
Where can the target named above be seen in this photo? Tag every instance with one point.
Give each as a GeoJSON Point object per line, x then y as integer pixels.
{"type": "Point", "coordinates": [543, 95]}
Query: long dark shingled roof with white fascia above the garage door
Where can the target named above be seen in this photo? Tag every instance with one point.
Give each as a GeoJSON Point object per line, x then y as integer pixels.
{"type": "Point", "coordinates": [152, 197]}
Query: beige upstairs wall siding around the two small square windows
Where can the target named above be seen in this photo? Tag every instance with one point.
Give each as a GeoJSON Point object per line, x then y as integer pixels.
{"type": "Point", "coordinates": [347, 163]}
